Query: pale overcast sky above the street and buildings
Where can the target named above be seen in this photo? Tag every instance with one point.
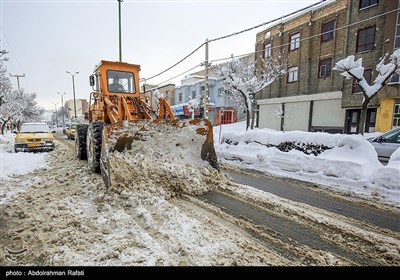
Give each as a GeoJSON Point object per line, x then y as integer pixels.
{"type": "Point", "coordinates": [46, 38]}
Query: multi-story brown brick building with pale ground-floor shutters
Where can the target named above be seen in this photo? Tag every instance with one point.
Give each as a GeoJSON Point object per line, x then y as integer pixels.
{"type": "Point", "coordinates": [314, 97]}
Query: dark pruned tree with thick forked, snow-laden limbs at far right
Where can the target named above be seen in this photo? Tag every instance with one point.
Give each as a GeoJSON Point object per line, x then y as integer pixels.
{"type": "Point", "coordinates": [354, 69]}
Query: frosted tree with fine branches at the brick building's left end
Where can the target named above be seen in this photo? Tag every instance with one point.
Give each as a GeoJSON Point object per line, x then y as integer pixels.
{"type": "Point", "coordinates": [243, 80]}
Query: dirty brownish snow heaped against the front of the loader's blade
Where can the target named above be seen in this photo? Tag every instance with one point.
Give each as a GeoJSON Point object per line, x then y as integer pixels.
{"type": "Point", "coordinates": [162, 159]}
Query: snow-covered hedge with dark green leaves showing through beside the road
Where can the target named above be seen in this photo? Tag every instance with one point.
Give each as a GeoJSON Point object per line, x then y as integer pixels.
{"type": "Point", "coordinates": [319, 151]}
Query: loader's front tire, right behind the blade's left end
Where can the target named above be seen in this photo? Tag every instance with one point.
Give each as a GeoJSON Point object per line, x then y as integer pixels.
{"type": "Point", "coordinates": [94, 139]}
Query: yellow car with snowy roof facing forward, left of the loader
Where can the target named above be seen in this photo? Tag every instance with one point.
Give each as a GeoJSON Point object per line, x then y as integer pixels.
{"type": "Point", "coordinates": [34, 137]}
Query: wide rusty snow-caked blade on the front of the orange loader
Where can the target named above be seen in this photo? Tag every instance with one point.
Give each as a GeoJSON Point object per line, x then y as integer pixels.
{"type": "Point", "coordinates": [167, 142]}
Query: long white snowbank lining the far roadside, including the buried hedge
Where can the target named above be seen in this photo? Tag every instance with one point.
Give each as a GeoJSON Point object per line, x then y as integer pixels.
{"type": "Point", "coordinates": [346, 163]}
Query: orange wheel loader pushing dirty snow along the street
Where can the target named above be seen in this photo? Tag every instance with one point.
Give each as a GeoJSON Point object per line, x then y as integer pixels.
{"type": "Point", "coordinates": [120, 120]}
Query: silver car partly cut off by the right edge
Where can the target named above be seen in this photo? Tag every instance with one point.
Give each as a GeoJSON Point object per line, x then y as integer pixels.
{"type": "Point", "coordinates": [385, 144]}
